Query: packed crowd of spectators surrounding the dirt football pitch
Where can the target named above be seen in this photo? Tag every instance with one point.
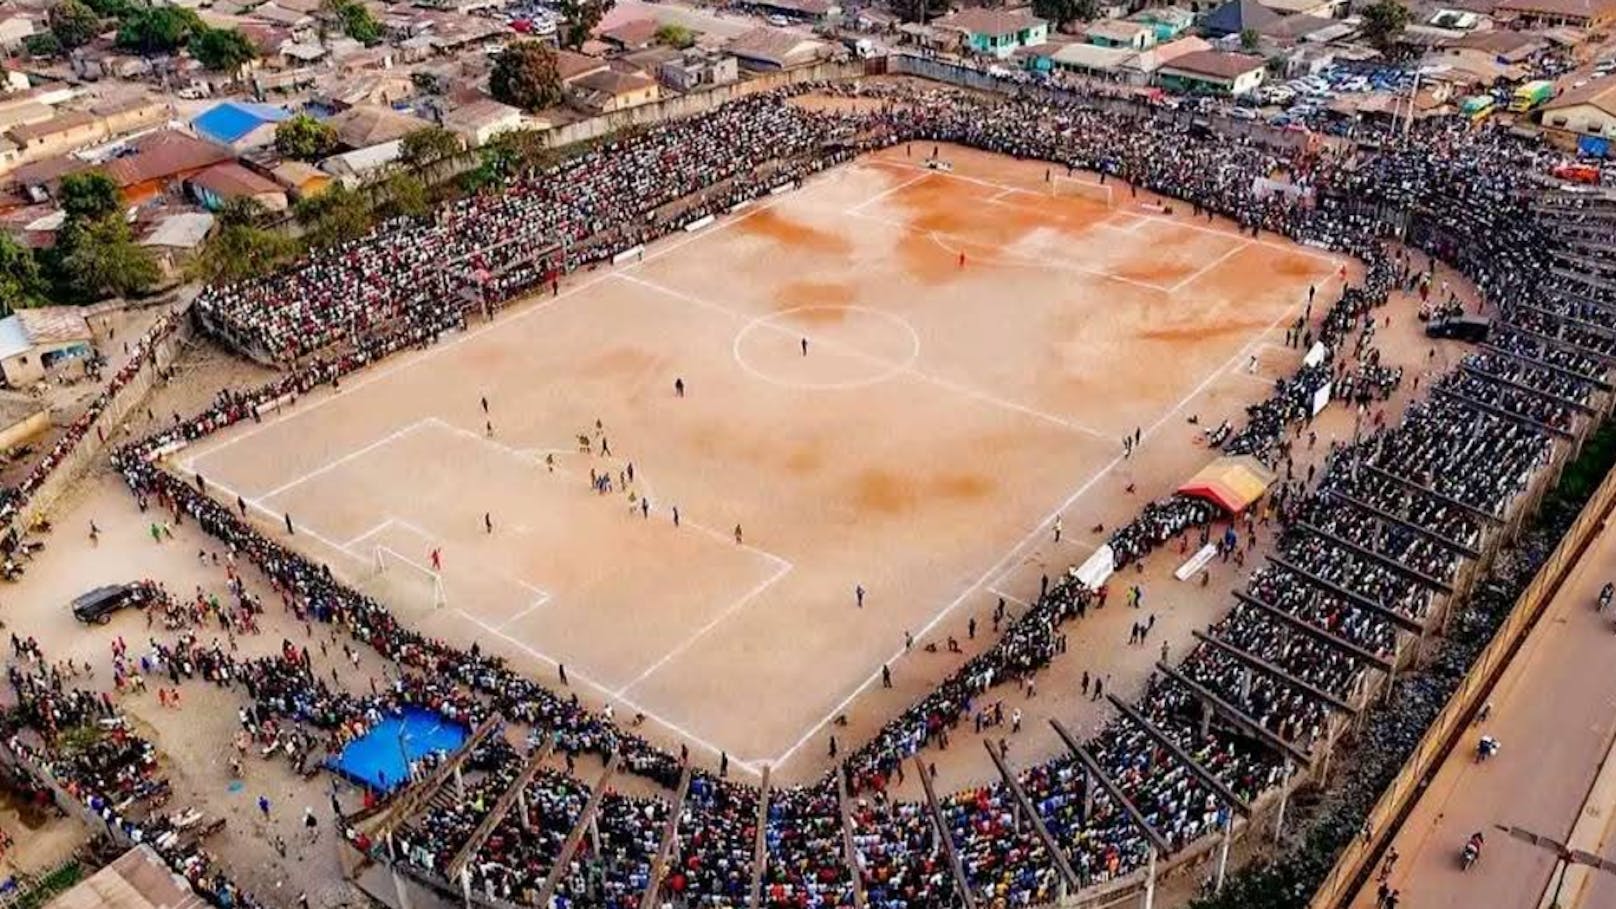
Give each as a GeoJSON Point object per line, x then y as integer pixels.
{"type": "Point", "coordinates": [1476, 446]}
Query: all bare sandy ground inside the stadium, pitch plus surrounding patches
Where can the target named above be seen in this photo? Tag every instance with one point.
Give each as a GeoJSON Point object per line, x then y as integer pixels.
{"type": "Point", "coordinates": [933, 486]}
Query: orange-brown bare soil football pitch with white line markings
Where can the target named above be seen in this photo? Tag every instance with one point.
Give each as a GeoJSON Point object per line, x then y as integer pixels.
{"type": "Point", "coordinates": [943, 415]}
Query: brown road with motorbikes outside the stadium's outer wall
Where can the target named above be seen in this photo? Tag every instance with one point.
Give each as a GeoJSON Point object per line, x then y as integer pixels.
{"type": "Point", "coordinates": [1554, 717]}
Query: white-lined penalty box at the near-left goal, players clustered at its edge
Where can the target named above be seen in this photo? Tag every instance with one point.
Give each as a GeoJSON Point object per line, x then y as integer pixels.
{"type": "Point", "coordinates": [571, 575]}
